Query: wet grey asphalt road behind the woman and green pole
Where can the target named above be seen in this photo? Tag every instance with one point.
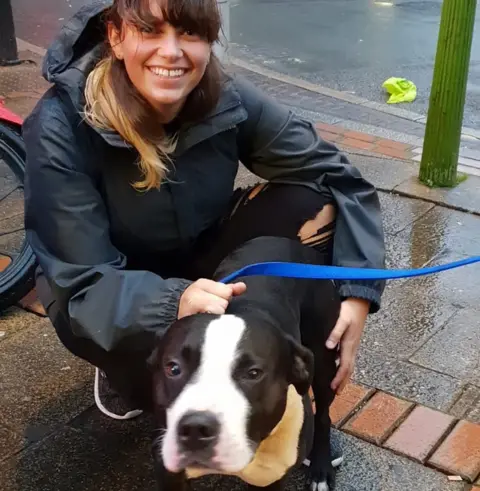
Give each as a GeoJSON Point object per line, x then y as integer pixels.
{"type": "Point", "coordinates": [348, 45]}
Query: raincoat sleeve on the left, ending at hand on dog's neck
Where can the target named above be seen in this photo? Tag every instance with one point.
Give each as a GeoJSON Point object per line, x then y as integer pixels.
{"type": "Point", "coordinates": [67, 226]}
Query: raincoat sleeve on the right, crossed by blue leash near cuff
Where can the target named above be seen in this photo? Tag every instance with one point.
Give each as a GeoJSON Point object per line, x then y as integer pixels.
{"type": "Point", "coordinates": [281, 147]}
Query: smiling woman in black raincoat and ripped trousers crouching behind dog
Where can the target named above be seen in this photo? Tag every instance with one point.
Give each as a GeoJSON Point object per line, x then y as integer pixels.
{"type": "Point", "coordinates": [132, 157]}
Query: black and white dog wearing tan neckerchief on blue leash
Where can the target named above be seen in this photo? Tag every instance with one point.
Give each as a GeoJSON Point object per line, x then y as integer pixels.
{"type": "Point", "coordinates": [231, 391]}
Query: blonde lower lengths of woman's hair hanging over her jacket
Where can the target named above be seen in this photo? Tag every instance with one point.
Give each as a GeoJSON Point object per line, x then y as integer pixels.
{"type": "Point", "coordinates": [103, 111]}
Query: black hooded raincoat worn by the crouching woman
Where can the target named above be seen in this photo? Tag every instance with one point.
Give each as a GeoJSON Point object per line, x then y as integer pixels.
{"type": "Point", "coordinates": [104, 247]}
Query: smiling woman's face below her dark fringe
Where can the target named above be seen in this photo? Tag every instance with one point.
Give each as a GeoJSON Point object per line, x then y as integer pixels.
{"type": "Point", "coordinates": [164, 65]}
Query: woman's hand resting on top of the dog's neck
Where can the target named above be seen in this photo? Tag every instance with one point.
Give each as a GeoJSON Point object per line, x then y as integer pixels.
{"type": "Point", "coordinates": [208, 296]}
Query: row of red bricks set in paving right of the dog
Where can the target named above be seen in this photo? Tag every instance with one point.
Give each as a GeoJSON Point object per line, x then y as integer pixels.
{"type": "Point", "coordinates": [422, 434]}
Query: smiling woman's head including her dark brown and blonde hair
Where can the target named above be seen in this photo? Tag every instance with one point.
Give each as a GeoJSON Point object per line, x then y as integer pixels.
{"type": "Point", "coordinates": [160, 54]}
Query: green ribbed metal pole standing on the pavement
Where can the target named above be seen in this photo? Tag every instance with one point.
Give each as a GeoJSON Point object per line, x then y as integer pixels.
{"type": "Point", "coordinates": [447, 98]}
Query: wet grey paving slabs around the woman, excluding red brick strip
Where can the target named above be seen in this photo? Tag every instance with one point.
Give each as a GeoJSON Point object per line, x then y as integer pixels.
{"type": "Point", "coordinates": [423, 346]}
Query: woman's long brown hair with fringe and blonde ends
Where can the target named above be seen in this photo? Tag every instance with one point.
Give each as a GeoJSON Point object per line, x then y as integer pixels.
{"type": "Point", "coordinates": [113, 103]}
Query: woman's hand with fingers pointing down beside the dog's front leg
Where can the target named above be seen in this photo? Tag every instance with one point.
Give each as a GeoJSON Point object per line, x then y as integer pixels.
{"type": "Point", "coordinates": [347, 333]}
